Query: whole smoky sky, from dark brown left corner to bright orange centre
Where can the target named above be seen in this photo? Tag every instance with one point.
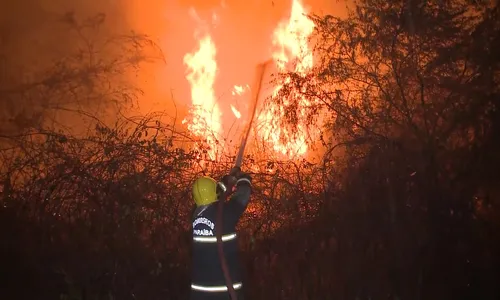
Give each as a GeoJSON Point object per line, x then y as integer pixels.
{"type": "Point", "coordinates": [32, 38]}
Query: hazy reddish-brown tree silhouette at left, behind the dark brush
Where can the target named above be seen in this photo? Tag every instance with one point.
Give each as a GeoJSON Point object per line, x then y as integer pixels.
{"type": "Point", "coordinates": [89, 81]}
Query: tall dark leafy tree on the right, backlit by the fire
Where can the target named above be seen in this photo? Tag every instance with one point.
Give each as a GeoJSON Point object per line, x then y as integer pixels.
{"type": "Point", "coordinates": [411, 104]}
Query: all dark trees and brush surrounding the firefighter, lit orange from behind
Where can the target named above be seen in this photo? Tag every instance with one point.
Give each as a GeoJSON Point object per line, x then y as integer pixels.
{"type": "Point", "coordinates": [404, 205]}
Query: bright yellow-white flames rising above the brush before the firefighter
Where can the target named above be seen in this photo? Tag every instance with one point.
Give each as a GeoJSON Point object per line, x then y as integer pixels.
{"type": "Point", "coordinates": [289, 50]}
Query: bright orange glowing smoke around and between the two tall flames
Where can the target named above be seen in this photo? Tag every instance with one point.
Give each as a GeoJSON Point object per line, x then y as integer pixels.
{"type": "Point", "coordinates": [241, 30]}
